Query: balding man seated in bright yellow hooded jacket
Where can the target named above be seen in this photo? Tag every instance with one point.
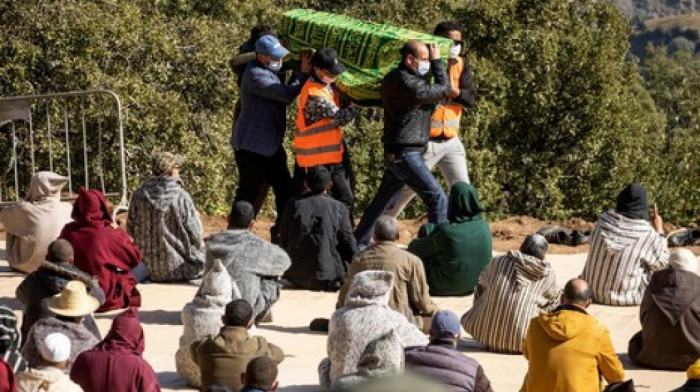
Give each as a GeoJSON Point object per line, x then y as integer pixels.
{"type": "Point", "coordinates": [568, 350]}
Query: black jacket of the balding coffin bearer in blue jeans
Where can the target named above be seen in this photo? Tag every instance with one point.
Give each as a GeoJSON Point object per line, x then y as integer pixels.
{"type": "Point", "coordinates": [409, 101]}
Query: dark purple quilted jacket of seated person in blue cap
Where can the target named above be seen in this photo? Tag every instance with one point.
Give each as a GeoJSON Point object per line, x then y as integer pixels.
{"type": "Point", "coordinates": [442, 362]}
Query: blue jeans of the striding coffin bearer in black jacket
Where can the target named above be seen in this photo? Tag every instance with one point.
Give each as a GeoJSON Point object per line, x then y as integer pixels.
{"type": "Point", "coordinates": [407, 169]}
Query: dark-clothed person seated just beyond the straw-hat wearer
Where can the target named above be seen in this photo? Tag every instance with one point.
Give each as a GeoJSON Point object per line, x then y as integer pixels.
{"type": "Point", "coordinates": [50, 279]}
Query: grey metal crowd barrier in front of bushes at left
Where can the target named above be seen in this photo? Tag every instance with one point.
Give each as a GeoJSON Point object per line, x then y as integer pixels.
{"type": "Point", "coordinates": [36, 144]}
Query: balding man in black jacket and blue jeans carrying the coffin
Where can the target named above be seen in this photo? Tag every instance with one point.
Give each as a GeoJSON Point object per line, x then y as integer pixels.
{"type": "Point", "coordinates": [408, 100]}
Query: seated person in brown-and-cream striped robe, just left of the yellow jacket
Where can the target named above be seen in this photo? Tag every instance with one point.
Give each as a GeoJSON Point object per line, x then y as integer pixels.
{"type": "Point", "coordinates": [513, 289]}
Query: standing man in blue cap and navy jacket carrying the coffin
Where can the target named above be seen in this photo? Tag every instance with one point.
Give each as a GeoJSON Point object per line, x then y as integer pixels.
{"type": "Point", "coordinates": [261, 125]}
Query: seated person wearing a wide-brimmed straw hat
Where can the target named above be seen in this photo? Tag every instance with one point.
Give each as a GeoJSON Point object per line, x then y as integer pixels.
{"type": "Point", "coordinates": [70, 307]}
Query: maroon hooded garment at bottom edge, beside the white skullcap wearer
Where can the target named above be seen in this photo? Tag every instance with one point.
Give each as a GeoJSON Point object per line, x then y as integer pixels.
{"type": "Point", "coordinates": [116, 364]}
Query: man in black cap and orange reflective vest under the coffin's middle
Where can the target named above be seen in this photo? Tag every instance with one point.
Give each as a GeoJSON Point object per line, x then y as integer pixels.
{"type": "Point", "coordinates": [318, 140]}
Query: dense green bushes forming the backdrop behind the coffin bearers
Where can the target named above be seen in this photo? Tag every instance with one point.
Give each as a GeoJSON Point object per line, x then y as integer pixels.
{"type": "Point", "coordinates": [563, 119]}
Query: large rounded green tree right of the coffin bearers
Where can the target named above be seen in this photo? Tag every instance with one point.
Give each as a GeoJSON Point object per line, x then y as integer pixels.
{"type": "Point", "coordinates": [562, 121]}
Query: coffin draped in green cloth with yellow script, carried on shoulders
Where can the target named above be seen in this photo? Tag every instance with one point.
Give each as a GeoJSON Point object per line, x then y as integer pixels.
{"type": "Point", "coordinates": [369, 50]}
